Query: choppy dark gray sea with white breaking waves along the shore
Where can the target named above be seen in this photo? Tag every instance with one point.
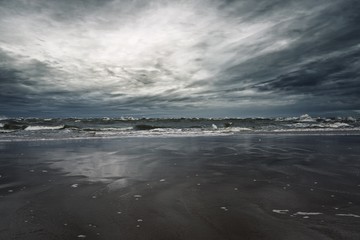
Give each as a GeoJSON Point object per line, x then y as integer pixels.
{"type": "Point", "coordinates": [58, 128]}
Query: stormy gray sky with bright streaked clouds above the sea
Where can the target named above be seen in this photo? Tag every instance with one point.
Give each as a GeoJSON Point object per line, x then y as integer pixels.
{"type": "Point", "coordinates": [207, 58]}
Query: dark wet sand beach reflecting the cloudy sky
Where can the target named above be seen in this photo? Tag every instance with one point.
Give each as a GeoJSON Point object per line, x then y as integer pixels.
{"type": "Point", "coordinates": [233, 187]}
